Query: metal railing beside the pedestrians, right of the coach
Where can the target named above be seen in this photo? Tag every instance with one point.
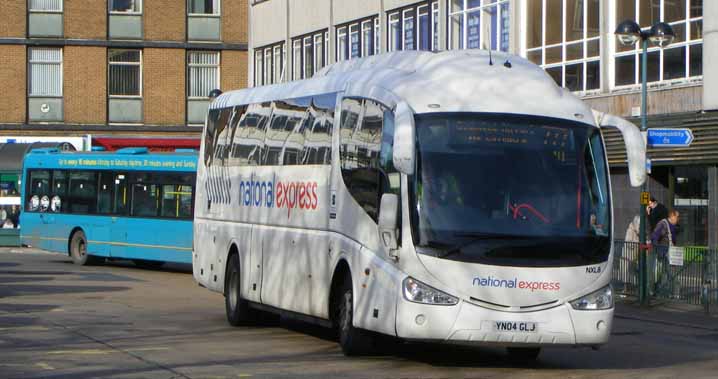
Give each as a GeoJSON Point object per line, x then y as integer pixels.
{"type": "Point", "coordinates": [695, 282]}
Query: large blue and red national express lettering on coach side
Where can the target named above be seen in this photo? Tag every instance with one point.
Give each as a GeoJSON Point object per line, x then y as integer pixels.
{"type": "Point", "coordinates": [278, 194]}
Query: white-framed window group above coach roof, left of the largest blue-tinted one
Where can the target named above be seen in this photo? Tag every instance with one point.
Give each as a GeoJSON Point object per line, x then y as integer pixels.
{"type": "Point", "coordinates": [414, 28]}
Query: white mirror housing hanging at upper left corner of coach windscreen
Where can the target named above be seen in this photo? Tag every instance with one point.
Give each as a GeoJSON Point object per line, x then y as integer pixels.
{"type": "Point", "coordinates": [404, 139]}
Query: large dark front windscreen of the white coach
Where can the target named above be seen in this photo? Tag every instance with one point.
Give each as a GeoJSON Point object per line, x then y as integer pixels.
{"type": "Point", "coordinates": [510, 190]}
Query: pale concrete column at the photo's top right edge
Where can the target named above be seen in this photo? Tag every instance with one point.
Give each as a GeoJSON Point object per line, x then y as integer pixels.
{"type": "Point", "coordinates": [710, 55]}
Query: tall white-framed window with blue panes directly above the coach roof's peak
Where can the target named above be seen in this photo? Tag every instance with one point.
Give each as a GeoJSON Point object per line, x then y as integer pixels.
{"type": "Point", "coordinates": [466, 18]}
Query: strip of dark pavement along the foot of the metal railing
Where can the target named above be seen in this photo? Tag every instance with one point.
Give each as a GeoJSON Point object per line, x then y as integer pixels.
{"type": "Point", "coordinates": [690, 316]}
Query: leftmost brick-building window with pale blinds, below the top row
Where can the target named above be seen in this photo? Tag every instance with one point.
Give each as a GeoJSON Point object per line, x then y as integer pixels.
{"type": "Point", "coordinates": [45, 72]}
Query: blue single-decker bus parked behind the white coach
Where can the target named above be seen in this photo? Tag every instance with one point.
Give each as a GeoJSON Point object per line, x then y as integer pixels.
{"type": "Point", "coordinates": [128, 204]}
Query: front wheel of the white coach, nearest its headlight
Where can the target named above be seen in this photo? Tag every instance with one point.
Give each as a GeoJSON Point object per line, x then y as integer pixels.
{"type": "Point", "coordinates": [354, 341]}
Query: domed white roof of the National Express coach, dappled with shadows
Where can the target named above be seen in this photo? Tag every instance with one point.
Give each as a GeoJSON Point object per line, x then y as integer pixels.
{"type": "Point", "coordinates": [449, 81]}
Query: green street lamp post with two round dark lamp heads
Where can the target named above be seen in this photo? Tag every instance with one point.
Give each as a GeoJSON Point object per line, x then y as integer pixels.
{"type": "Point", "coordinates": [661, 34]}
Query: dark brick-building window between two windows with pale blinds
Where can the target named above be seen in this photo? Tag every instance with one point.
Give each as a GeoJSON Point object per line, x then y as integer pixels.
{"type": "Point", "coordinates": [125, 73]}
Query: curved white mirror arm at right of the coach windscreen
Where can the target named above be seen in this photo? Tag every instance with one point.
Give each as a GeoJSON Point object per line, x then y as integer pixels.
{"type": "Point", "coordinates": [634, 141]}
